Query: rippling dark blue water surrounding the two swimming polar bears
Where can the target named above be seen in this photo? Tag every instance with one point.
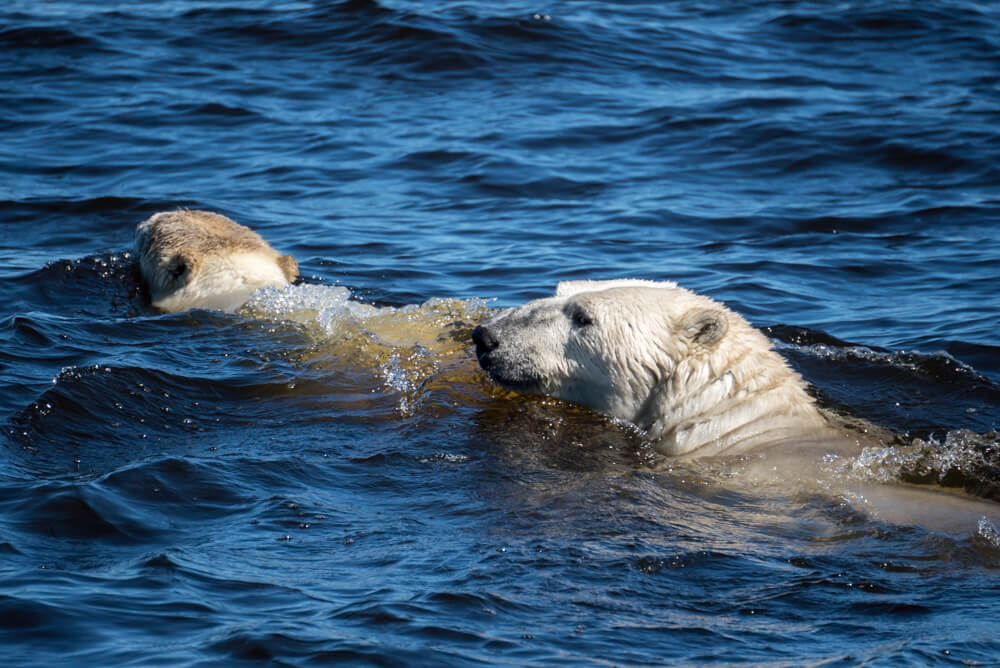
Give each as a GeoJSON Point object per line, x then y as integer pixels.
{"type": "Point", "coordinates": [312, 481]}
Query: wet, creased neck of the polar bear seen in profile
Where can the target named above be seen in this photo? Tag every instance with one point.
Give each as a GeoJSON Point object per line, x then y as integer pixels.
{"type": "Point", "coordinates": [730, 400]}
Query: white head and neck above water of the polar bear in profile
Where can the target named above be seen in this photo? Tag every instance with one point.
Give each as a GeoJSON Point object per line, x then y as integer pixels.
{"type": "Point", "coordinates": [690, 372]}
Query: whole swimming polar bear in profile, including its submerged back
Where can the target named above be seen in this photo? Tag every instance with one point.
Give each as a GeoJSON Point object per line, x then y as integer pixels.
{"type": "Point", "coordinates": [701, 382]}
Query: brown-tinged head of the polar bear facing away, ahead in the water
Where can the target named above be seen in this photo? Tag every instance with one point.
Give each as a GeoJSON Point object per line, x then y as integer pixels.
{"type": "Point", "coordinates": [198, 259]}
